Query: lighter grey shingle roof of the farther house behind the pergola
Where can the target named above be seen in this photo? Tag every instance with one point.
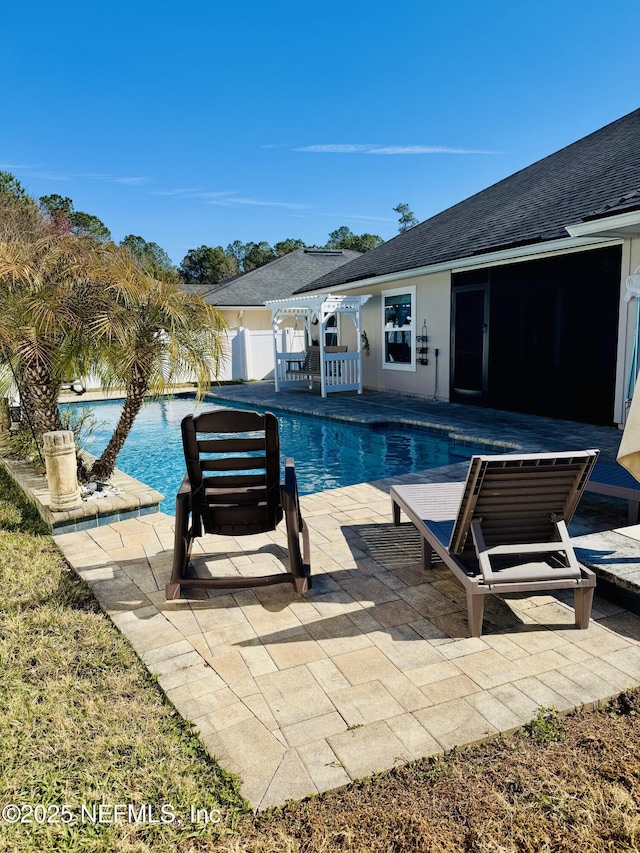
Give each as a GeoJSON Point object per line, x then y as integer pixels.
{"type": "Point", "coordinates": [280, 278]}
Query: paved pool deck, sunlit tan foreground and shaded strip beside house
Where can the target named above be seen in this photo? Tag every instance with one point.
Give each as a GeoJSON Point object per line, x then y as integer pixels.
{"type": "Point", "coordinates": [375, 665]}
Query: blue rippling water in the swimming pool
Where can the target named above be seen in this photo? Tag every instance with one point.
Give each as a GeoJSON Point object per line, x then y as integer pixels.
{"type": "Point", "coordinates": [327, 453]}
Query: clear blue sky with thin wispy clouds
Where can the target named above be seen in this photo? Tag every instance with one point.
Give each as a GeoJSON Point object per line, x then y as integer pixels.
{"type": "Point", "coordinates": [197, 122]}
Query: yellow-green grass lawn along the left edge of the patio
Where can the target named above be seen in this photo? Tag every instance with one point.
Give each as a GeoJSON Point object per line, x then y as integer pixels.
{"type": "Point", "coordinates": [82, 723]}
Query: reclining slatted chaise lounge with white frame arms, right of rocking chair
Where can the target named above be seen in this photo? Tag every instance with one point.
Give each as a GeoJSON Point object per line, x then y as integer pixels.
{"type": "Point", "coordinates": [505, 528]}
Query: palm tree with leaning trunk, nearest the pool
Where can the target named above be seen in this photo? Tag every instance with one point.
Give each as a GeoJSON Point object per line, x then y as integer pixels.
{"type": "Point", "coordinates": [157, 334]}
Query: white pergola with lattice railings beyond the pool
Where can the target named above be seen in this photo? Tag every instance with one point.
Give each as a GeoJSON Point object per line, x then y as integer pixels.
{"type": "Point", "coordinates": [336, 371]}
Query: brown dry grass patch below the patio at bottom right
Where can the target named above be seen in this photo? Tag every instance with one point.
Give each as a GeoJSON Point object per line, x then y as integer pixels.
{"type": "Point", "coordinates": [569, 784]}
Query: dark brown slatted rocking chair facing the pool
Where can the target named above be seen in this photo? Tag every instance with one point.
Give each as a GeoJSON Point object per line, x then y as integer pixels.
{"type": "Point", "coordinates": [232, 488]}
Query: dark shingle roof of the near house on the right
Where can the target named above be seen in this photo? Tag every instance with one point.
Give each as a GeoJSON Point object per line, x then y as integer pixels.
{"type": "Point", "coordinates": [597, 176]}
